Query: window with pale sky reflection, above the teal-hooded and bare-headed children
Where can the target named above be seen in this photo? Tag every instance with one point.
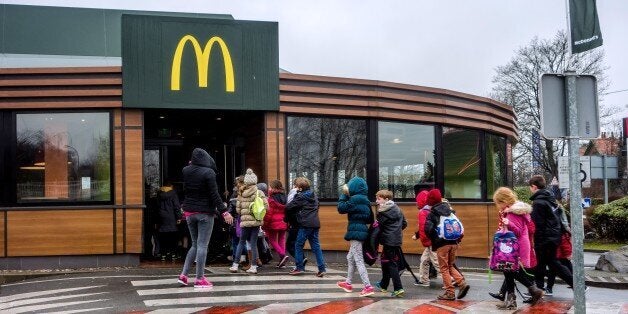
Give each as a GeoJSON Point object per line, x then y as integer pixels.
{"type": "Point", "coordinates": [406, 158]}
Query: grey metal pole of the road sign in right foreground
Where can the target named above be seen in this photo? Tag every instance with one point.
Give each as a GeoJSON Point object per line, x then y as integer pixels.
{"type": "Point", "coordinates": [575, 199]}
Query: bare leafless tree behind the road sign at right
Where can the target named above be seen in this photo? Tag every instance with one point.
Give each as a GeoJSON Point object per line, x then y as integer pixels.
{"type": "Point", "coordinates": [517, 84]}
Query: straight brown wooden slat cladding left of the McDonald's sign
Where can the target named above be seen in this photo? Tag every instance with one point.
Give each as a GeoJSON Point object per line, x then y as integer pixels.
{"type": "Point", "coordinates": [47, 88]}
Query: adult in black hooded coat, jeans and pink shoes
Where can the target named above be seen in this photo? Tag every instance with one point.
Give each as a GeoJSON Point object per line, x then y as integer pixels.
{"type": "Point", "coordinates": [201, 203]}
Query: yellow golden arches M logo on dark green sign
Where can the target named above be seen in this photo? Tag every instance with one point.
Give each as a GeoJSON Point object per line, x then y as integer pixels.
{"type": "Point", "coordinates": [202, 62]}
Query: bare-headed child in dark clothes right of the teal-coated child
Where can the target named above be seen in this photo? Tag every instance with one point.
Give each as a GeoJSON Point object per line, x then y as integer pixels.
{"type": "Point", "coordinates": [391, 223]}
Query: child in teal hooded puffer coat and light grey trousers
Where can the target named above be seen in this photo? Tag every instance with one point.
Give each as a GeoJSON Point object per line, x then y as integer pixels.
{"type": "Point", "coordinates": [355, 203]}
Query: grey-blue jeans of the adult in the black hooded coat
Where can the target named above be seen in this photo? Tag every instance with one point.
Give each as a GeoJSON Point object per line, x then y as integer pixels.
{"type": "Point", "coordinates": [201, 226]}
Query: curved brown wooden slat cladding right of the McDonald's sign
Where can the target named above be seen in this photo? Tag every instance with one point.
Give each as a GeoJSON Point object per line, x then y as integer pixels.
{"type": "Point", "coordinates": [306, 94]}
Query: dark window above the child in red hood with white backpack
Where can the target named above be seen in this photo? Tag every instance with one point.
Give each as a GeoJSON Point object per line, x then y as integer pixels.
{"type": "Point", "coordinates": [461, 154]}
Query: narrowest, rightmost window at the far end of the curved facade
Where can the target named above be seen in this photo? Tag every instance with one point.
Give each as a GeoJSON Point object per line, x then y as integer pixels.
{"type": "Point", "coordinates": [495, 162]}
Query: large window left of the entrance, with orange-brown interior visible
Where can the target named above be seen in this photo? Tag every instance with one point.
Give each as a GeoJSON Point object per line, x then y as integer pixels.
{"type": "Point", "coordinates": [63, 157]}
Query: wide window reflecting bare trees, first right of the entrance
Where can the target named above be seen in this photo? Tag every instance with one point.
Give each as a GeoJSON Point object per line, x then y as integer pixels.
{"type": "Point", "coordinates": [327, 151]}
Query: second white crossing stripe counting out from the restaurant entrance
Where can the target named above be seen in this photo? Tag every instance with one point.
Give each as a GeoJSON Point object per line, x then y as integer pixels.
{"type": "Point", "coordinates": [257, 287]}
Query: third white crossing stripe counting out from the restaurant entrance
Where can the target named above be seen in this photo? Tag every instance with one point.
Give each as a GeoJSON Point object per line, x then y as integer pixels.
{"type": "Point", "coordinates": [247, 298]}
